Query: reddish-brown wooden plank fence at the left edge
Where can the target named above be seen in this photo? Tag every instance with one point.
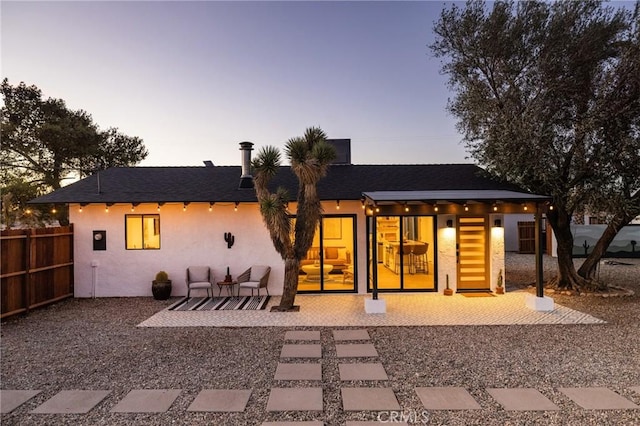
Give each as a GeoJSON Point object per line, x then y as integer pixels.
{"type": "Point", "coordinates": [37, 268]}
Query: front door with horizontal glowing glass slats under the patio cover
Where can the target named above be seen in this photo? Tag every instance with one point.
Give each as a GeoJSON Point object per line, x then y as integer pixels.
{"type": "Point", "coordinates": [473, 264]}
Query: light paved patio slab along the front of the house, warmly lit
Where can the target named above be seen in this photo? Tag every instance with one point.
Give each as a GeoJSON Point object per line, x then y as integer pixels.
{"type": "Point", "coordinates": [402, 310]}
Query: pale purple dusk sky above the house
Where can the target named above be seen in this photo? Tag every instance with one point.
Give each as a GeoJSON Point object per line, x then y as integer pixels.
{"type": "Point", "coordinates": [193, 79]}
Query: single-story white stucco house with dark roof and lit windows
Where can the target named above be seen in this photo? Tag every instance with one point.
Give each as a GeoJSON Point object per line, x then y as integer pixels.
{"type": "Point", "coordinates": [388, 228]}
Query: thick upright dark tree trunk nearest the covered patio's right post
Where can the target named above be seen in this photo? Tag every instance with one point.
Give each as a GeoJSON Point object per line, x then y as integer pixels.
{"type": "Point", "coordinates": [568, 278]}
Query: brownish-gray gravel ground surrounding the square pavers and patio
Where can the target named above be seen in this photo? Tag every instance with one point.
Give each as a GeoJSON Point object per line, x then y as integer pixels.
{"type": "Point", "coordinates": [95, 344]}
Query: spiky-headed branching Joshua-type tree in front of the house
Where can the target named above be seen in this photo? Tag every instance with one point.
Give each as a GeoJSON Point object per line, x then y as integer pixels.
{"type": "Point", "coordinates": [310, 156]}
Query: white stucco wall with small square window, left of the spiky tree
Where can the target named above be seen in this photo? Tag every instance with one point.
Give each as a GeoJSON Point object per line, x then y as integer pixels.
{"type": "Point", "coordinates": [192, 237]}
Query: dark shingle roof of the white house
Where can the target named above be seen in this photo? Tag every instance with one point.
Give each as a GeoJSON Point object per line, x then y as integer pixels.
{"type": "Point", "coordinates": [220, 183]}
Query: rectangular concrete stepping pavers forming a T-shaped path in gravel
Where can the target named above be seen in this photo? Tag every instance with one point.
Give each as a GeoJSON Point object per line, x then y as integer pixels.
{"type": "Point", "coordinates": [372, 400]}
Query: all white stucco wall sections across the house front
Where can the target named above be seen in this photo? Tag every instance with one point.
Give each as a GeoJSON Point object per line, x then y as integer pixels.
{"type": "Point", "coordinates": [196, 237]}
